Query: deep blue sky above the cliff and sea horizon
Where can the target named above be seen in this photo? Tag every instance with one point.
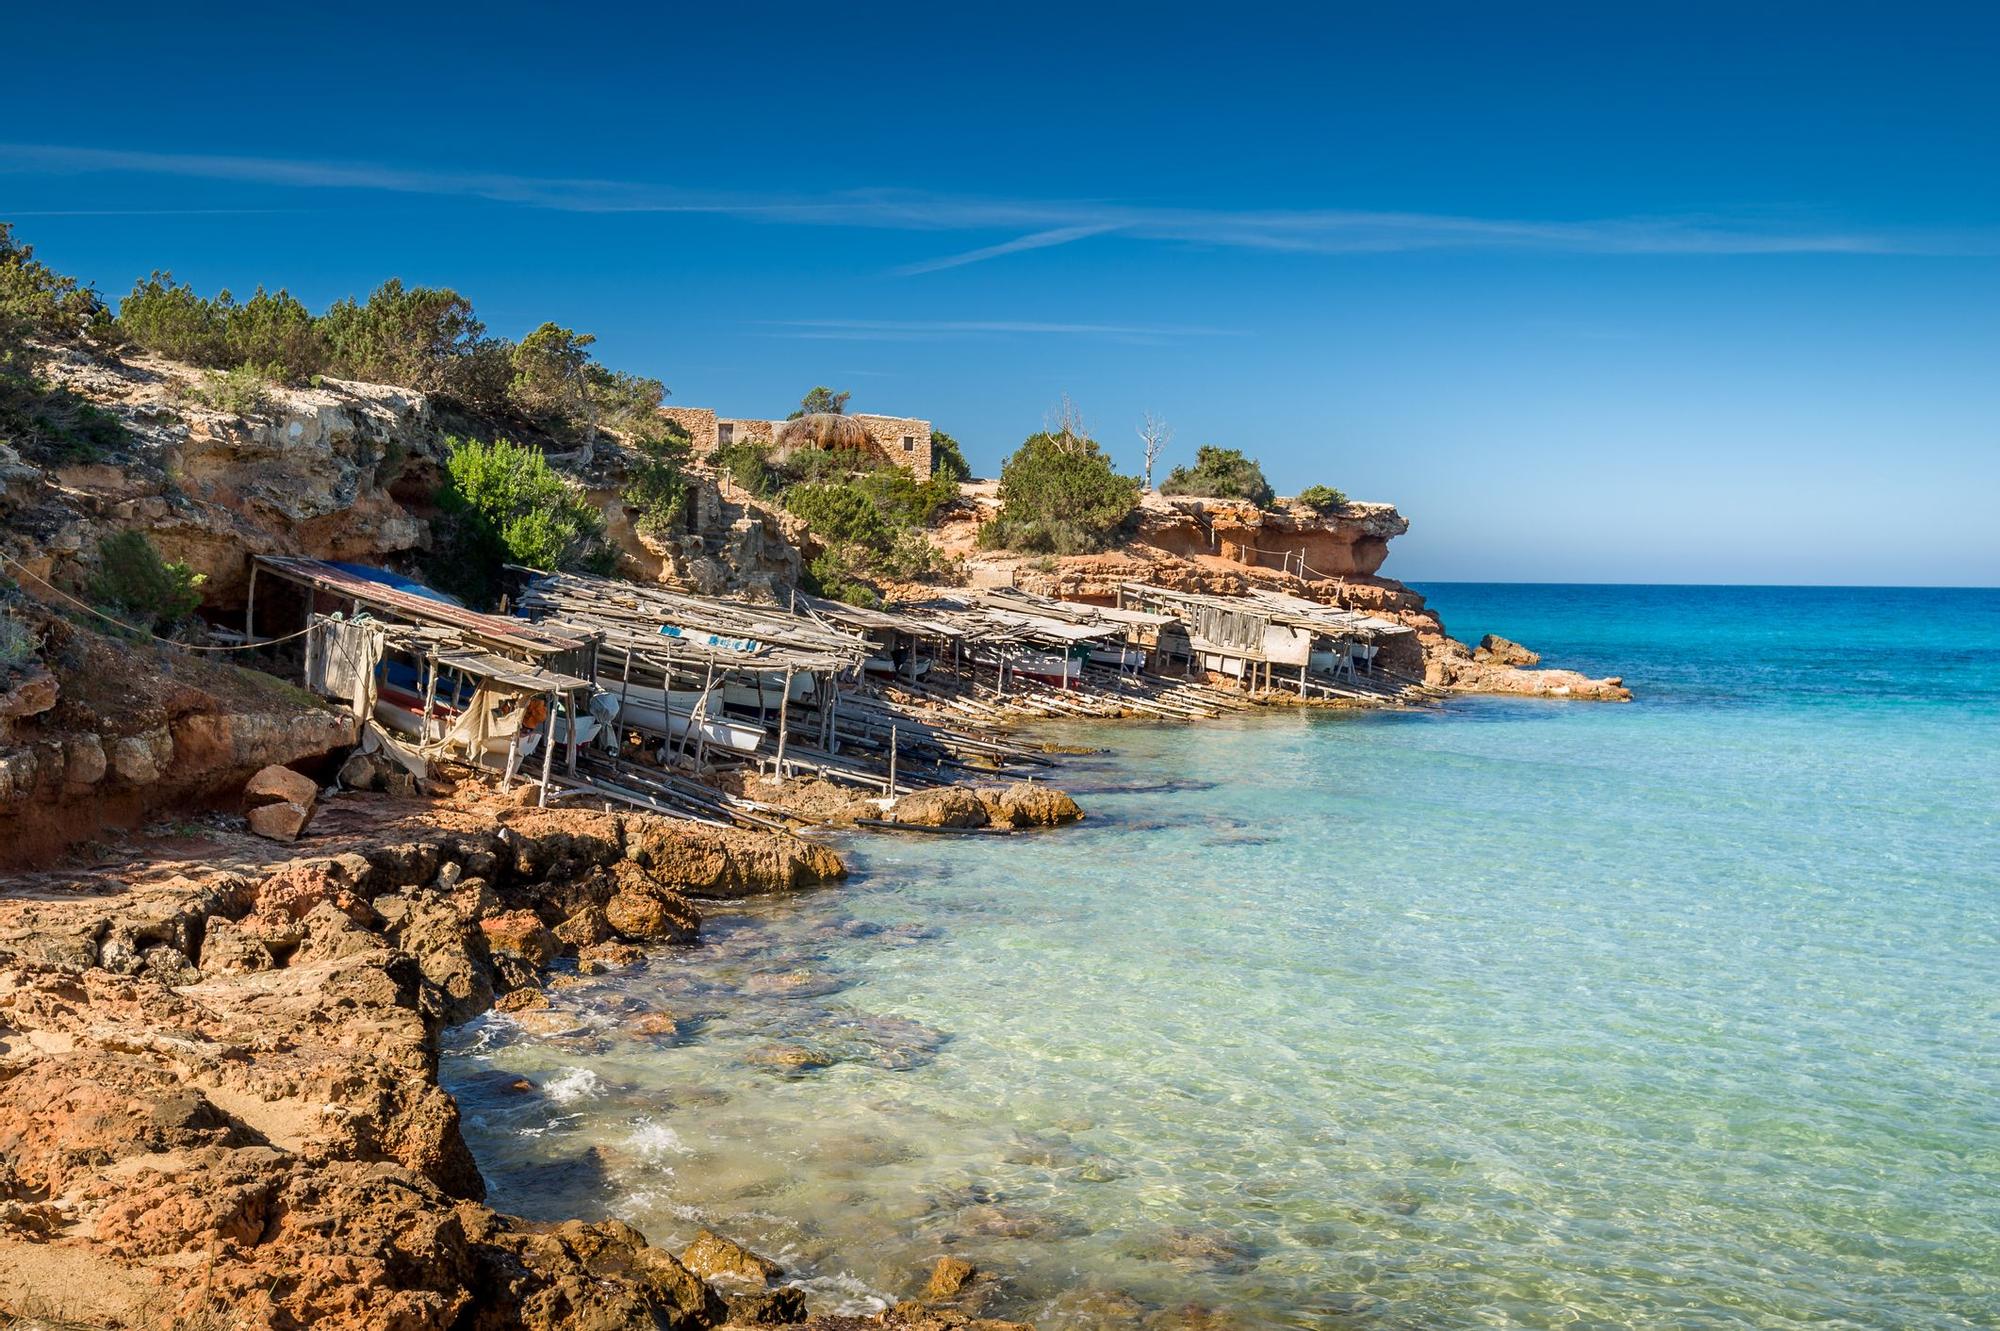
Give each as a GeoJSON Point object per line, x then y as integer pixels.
{"type": "Point", "coordinates": [1593, 293]}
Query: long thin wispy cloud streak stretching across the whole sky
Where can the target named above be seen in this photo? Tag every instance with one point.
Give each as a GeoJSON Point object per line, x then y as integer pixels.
{"type": "Point", "coordinates": [1039, 223]}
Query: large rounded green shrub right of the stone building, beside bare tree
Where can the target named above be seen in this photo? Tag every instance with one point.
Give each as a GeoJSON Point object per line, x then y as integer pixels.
{"type": "Point", "coordinates": [1059, 495]}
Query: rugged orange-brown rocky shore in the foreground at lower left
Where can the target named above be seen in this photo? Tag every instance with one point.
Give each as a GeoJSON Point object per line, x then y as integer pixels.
{"type": "Point", "coordinates": [219, 1076]}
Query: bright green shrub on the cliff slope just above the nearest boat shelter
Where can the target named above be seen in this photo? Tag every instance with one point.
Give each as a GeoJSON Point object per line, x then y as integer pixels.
{"type": "Point", "coordinates": [505, 505]}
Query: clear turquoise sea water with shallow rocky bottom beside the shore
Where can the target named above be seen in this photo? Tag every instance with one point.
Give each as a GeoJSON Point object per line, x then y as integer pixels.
{"type": "Point", "coordinates": [1513, 1014]}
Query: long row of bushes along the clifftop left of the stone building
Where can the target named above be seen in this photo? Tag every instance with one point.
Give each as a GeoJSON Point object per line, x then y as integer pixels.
{"type": "Point", "coordinates": [425, 339]}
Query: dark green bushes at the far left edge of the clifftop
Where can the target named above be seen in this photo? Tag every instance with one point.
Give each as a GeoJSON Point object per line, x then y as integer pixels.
{"type": "Point", "coordinates": [41, 309]}
